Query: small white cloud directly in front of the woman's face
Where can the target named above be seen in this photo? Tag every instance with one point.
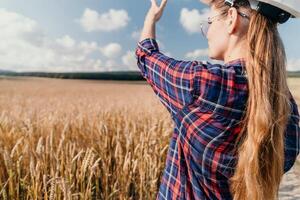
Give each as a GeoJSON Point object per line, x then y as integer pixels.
{"type": "Point", "coordinates": [191, 19]}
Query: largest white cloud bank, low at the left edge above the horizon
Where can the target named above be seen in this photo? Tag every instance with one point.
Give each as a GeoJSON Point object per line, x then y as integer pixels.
{"type": "Point", "coordinates": [25, 47]}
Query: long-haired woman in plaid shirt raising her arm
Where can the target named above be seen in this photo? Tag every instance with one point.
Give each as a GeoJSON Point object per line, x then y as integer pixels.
{"type": "Point", "coordinates": [237, 124]}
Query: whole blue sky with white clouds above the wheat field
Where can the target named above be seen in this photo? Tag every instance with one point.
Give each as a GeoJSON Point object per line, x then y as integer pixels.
{"type": "Point", "coordinates": [101, 35]}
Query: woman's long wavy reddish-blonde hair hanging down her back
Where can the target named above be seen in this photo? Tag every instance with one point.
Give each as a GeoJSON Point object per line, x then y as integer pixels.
{"type": "Point", "coordinates": [260, 150]}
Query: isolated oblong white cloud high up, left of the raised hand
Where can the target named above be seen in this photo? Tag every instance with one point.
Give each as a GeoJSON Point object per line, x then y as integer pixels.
{"type": "Point", "coordinates": [113, 20]}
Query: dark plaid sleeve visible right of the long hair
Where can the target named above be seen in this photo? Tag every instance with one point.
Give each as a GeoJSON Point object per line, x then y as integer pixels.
{"type": "Point", "coordinates": [292, 138]}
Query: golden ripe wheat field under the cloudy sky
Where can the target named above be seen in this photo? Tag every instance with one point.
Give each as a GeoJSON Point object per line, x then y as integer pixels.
{"type": "Point", "coordinates": [75, 139]}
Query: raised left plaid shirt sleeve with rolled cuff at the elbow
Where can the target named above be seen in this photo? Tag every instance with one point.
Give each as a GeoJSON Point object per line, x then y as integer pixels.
{"type": "Point", "coordinates": [172, 80]}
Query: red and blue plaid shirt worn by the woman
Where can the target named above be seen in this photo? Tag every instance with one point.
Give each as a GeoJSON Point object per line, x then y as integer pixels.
{"type": "Point", "coordinates": [206, 102]}
